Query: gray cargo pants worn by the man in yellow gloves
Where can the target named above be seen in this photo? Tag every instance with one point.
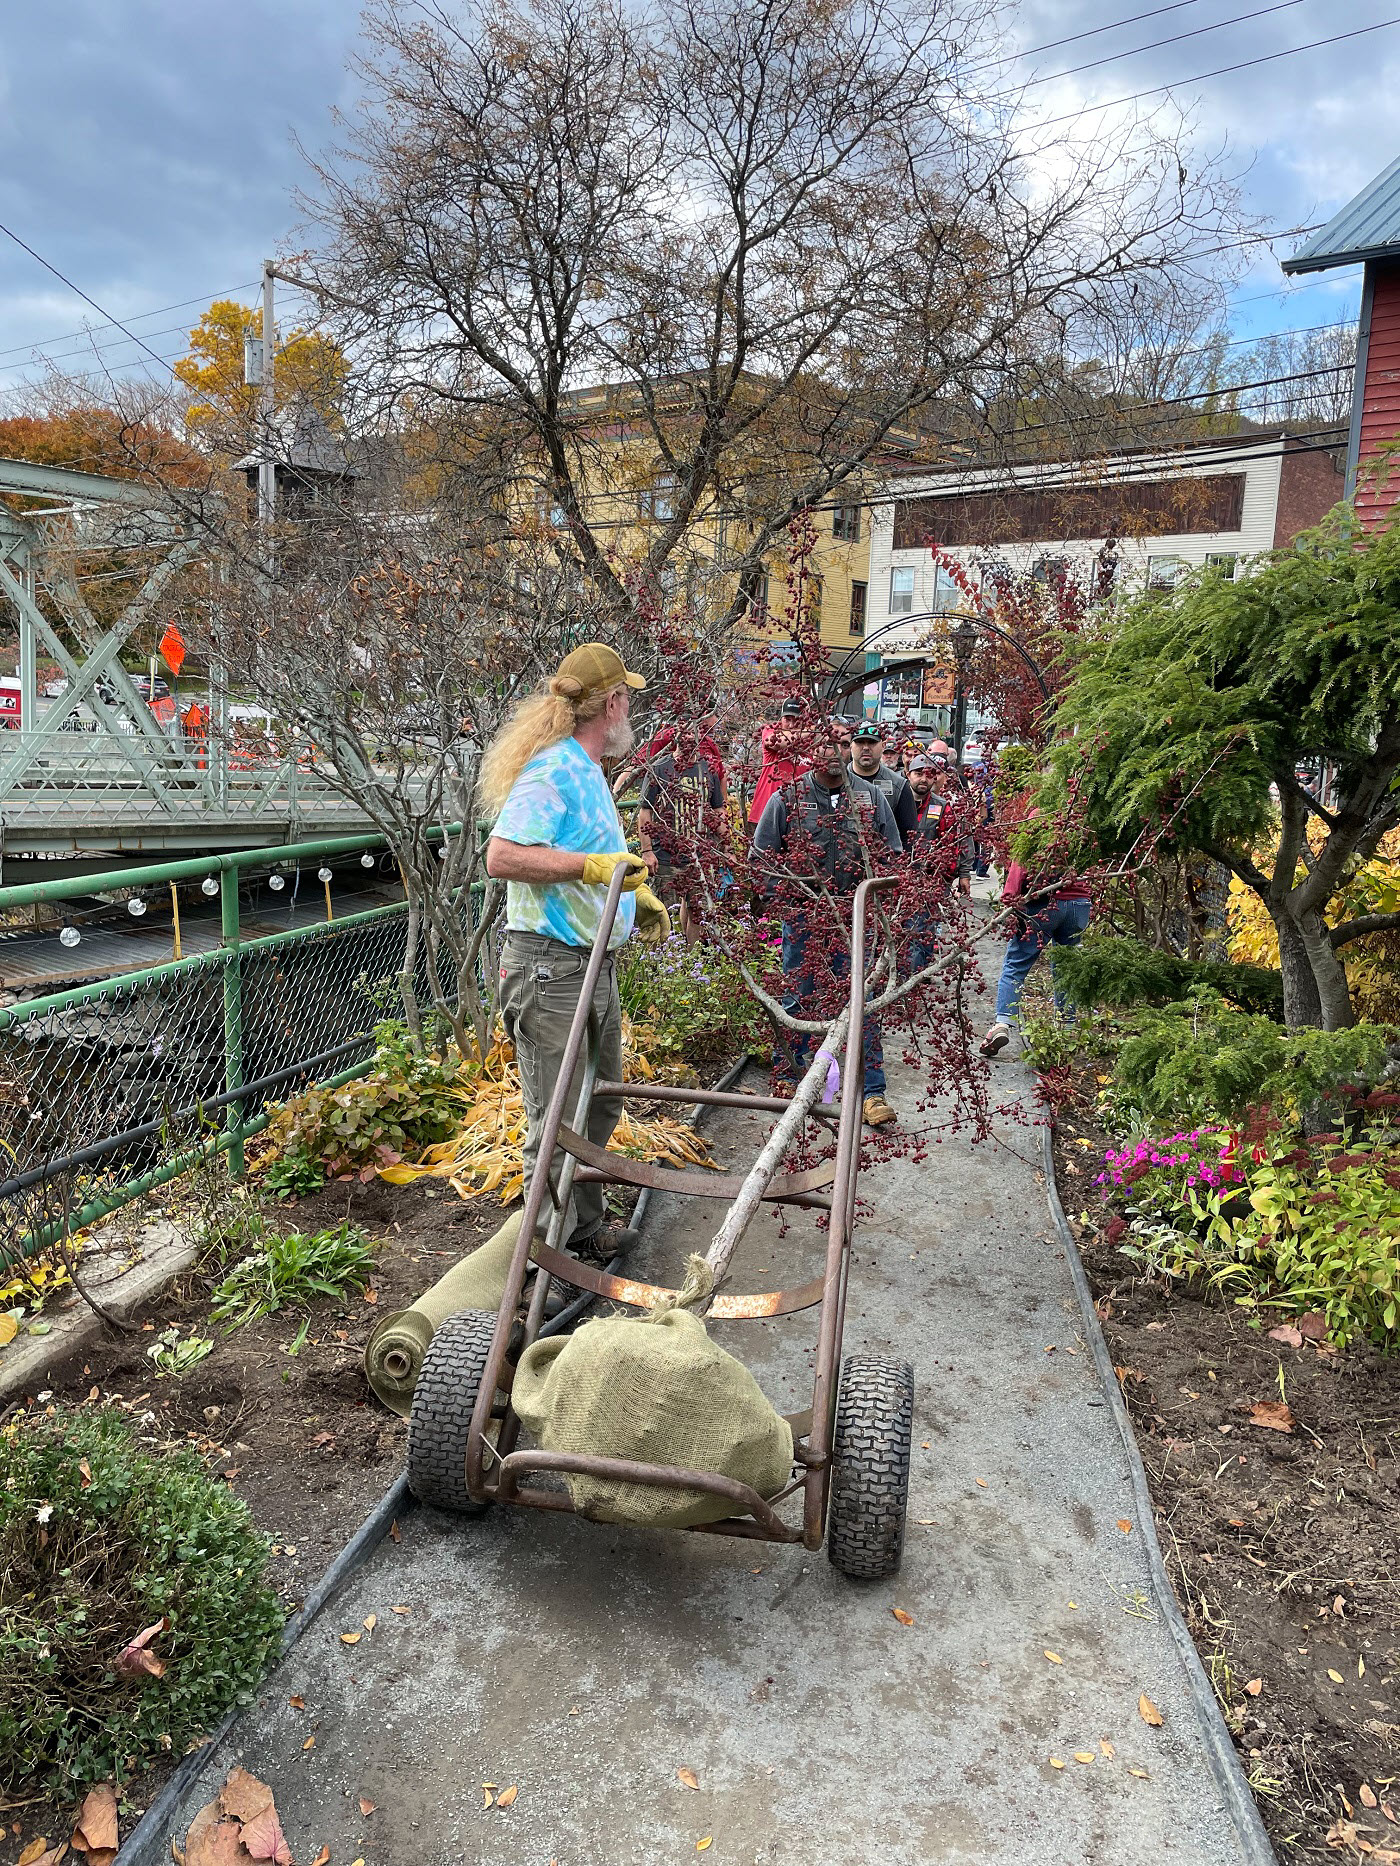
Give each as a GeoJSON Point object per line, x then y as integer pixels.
{"type": "Point", "coordinates": [540, 982]}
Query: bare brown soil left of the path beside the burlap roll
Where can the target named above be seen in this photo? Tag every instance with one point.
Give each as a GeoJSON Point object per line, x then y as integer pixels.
{"type": "Point", "coordinates": [300, 1438]}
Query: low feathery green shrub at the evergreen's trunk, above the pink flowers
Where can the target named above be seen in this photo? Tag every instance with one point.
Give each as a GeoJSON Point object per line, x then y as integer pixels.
{"type": "Point", "coordinates": [1201, 1061]}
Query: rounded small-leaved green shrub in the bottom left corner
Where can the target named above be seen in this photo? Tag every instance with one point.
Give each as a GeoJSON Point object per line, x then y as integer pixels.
{"type": "Point", "coordinates": [102, 1540]}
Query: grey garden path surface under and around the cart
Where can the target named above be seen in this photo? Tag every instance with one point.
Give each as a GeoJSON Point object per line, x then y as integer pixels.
{"type": "Point", "coordinates": [589, 1665]}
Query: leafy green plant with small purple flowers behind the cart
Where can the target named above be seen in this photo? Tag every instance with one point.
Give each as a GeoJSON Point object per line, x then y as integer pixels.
{"type": "Point", "coordinates": [693, 1001]}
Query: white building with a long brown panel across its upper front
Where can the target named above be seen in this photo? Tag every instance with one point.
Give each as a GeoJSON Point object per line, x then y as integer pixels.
{"type": "Point", "coordinates": [1136, 518]}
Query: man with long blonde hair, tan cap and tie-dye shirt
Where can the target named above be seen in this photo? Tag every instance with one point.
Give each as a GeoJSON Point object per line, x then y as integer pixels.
{"type": "Point", "coordinates": [555, 842]}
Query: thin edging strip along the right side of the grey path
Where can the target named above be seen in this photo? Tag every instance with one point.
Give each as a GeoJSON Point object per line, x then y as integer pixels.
{"type": "Point", "coordinates": [1220, 1748]}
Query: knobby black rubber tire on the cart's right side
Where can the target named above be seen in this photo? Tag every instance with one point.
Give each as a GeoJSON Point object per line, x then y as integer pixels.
{"type": "Point", "coordinates": [873, 1443]}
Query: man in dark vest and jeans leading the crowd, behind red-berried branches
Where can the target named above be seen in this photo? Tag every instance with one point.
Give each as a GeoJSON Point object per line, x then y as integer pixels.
{"type": "Point", "coordinates": [817, 828]}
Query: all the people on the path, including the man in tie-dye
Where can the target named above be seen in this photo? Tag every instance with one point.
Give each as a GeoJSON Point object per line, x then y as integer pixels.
{"type": "Point", "coordinates": [828, 792]}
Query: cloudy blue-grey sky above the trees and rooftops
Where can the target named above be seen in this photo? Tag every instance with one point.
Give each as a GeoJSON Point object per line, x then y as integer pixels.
{"type": "Point", "coordinates": [147, 146]}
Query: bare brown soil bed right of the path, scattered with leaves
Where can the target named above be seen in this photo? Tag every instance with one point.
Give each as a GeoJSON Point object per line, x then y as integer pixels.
{"type": "Point", "coordinates": [1283, 1544]}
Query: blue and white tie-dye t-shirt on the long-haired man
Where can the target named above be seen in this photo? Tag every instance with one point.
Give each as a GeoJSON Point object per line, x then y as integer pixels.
{"type": "Point", "coordinates": [563, 801]}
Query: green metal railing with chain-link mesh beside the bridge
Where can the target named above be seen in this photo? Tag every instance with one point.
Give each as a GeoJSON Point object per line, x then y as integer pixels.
{"type": "Point", "coordinates": [111, 1089]}
